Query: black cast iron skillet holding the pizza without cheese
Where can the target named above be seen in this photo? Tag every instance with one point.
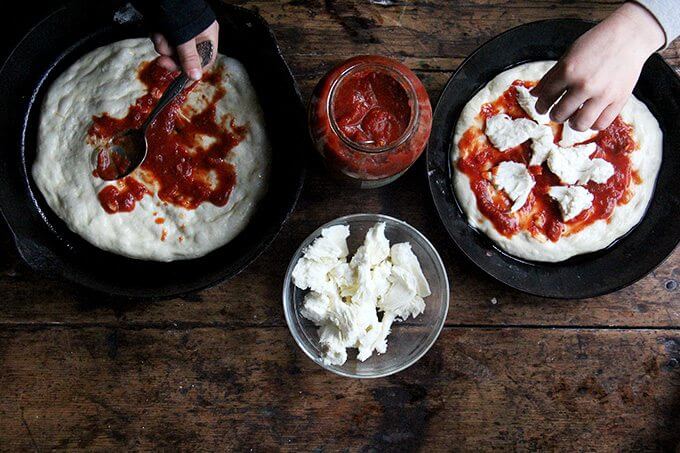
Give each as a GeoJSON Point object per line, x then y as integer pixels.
{"type": "Point", "coordinates": [44, 241]}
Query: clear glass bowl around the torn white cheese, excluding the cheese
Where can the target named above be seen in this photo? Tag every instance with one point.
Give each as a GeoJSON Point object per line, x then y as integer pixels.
{"type": "Point", "coordinates": [409, 340]}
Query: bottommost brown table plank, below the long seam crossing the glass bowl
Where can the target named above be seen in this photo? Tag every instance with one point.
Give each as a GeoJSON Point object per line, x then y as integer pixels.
{"type": "Point", "coordinates": [245, 389]}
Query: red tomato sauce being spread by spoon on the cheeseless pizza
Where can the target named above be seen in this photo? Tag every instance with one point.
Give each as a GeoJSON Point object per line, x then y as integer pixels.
{"type": "Point", "coordinates": [178, 168]}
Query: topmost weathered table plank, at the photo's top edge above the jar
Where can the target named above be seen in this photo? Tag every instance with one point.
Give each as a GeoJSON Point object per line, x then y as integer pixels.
{"type": "Point", "coordinates": [427, 34]}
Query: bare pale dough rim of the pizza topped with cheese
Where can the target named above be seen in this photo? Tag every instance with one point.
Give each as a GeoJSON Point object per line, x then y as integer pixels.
{"type": "Point", "coordinates": [646, 160]}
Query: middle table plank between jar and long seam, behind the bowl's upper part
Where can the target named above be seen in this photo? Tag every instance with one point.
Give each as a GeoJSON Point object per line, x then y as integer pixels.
{"type": "Point", "coordinates": [255, 296]}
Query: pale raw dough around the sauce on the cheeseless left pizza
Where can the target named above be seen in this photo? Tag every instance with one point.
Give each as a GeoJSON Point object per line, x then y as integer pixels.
{"type": "Point", "coordinates": [105, 80]}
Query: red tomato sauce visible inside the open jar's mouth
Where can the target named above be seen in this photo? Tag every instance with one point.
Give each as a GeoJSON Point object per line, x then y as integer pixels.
{"type": "Point", "coordinates": [371, 109]}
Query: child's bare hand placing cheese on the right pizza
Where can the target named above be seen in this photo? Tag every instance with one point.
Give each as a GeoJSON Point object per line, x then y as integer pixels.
{"type": "Point", "coordinates": [598, 73]}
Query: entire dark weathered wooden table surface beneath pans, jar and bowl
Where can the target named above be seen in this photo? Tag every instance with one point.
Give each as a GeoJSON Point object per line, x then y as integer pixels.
{"type": "Point", "coordinates": [219, 369]}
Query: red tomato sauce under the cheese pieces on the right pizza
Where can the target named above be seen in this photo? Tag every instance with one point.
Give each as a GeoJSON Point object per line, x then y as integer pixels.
{"type": "Point", "coordinates": [540, 215]}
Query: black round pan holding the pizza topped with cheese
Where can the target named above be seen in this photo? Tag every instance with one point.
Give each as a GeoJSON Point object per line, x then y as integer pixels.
{"type": "Point", "coordinates": [623, 263]}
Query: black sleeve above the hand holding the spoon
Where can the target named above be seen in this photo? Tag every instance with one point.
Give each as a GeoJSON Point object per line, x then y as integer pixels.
{"type": "Point", "coordinates": [178, 20]}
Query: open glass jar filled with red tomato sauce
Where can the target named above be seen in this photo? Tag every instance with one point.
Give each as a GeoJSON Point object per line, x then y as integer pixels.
{"type": "Point", "coordinates": [370, 119]}
